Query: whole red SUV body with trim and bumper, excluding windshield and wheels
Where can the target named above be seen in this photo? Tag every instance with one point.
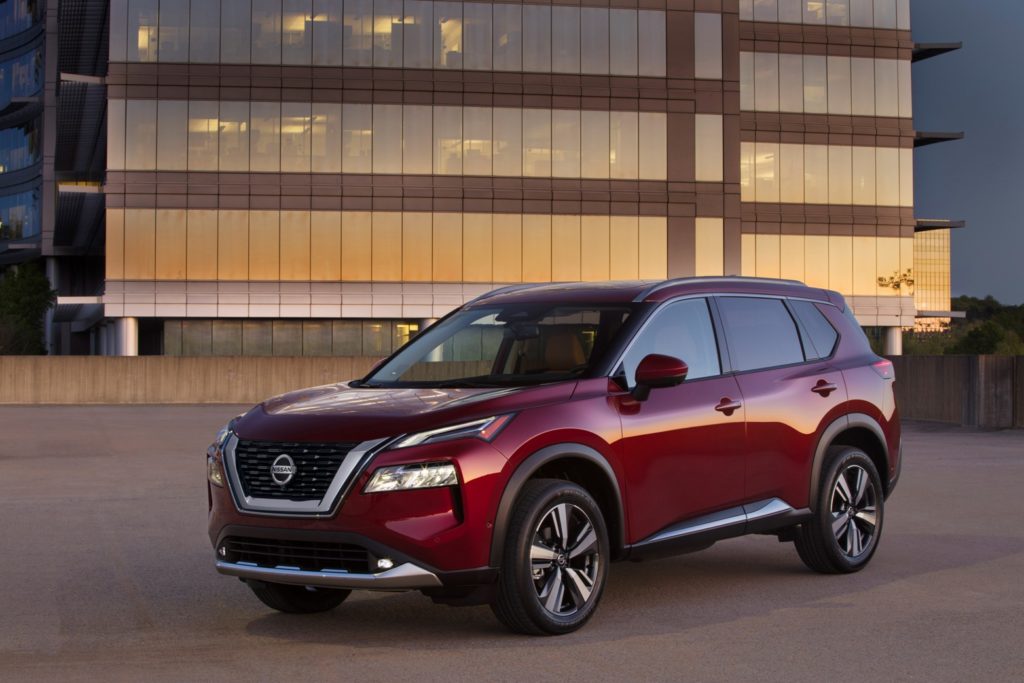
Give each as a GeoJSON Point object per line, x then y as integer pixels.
{"type": "Point", "coordinates": [714, 457]}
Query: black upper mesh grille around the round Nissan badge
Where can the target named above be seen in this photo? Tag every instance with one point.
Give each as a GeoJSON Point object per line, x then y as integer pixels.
{"type": "Point", "coordinates": [316, 465]}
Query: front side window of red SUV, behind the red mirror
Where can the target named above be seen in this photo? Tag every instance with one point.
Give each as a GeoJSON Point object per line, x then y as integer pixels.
{"type": "Point", "coordinates": [682, 330]}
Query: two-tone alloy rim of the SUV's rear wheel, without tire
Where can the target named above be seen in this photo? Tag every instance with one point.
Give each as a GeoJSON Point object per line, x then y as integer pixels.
{"type": "Point", "coordinates": [855, 511]}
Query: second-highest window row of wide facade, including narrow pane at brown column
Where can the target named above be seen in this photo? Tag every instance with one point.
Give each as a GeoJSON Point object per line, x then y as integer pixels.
{"type": "Point", "coordinates": [298, 138]}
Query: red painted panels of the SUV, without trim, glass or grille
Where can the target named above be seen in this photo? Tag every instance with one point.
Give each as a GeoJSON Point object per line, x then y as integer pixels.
{"type": "Point", "coordinates": [703, 446]}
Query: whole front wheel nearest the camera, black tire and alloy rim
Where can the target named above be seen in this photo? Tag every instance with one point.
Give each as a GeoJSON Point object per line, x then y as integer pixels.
{"type": "Point", "coordinates": [556, 563]}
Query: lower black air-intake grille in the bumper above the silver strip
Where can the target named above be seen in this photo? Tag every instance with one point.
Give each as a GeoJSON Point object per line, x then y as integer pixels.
{"type": "Point", "coordinates": [307, 556]}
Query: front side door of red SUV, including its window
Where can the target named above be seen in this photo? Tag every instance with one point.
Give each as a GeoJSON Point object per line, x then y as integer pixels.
{"type": "Point", "coordinates": [682, 449]}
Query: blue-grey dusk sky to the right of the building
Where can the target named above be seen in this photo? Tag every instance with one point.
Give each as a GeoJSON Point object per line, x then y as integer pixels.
{"type": "Point", "coordinates": [979, 91]}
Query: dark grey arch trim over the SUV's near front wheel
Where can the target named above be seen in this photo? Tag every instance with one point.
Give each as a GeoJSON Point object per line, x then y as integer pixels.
{"type": "Point", "coordinates": [529, 467]}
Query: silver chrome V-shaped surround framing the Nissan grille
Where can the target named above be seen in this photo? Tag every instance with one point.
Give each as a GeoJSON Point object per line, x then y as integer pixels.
{"type": "Point", "coordinates": [354, 463]}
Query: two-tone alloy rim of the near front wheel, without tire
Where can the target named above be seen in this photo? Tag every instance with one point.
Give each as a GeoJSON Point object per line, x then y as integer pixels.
{"type": "Point", "coordinates": [565, 560]}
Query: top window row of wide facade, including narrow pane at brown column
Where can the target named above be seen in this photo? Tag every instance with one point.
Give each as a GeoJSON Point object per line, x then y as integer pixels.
{"type": "Point", "coordinates": [412, 34]}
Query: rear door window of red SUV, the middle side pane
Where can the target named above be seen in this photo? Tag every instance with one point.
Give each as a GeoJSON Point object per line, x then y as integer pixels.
{"type": "Point", "coordinates": [761, 333]}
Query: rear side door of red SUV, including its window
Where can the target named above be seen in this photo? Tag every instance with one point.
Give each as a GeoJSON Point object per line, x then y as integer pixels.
{"type": "Point", "coordinates": [789, 391]}
